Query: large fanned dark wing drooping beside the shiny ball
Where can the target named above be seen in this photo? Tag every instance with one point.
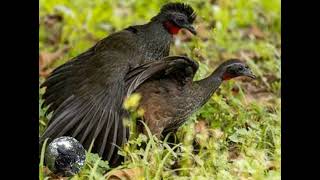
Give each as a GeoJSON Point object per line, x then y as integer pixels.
{"type": "Point", "coordinates": [86, 95]}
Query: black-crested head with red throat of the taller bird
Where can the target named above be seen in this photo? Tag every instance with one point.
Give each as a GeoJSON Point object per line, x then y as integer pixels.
{"type": "Point", "coordinates": [175, 16]}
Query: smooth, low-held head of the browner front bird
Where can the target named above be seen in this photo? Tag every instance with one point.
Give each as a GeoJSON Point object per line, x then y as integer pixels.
{"type": "Point", "coordinates": [234, 68]}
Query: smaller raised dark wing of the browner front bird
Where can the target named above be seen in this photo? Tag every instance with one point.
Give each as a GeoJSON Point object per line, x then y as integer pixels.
{"type": "Point", "coordinates": [176, 67]}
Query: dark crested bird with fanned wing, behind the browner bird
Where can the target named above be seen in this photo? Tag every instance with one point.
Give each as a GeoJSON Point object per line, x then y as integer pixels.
{"type": "Point", "coordinates": [85, 95]}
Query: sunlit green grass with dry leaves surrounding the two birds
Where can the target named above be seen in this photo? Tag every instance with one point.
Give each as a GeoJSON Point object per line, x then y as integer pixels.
{"type": "Point", "coordinates": [237, 131]}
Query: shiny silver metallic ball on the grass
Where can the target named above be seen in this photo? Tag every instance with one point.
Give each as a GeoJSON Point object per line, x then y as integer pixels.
{"type": "Point", "coordinates": [65, 156]}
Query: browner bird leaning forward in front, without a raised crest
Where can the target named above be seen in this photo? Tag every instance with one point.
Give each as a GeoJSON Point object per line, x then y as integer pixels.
{"type": "Point", "coordinates": [170, 96]}
